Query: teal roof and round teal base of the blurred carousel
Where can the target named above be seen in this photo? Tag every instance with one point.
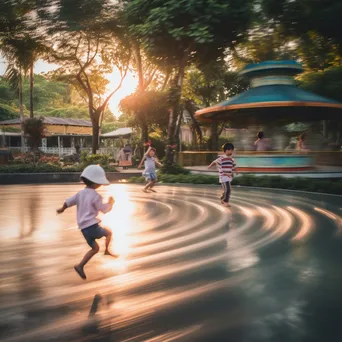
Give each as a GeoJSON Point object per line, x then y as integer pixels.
{"type": "Point", "coordinates": [273, 100]}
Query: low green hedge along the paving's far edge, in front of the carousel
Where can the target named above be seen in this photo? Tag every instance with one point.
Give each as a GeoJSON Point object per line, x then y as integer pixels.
{"type": "Point", "coordinates": [331, 186]}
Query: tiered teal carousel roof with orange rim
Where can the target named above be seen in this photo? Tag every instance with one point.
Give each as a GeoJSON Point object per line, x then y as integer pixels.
{"type": "Point", "coordinates": [273, 94]}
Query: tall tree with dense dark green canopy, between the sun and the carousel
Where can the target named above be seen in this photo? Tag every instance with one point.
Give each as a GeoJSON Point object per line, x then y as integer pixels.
{"type": "Point", "coordinates": [178, 31]}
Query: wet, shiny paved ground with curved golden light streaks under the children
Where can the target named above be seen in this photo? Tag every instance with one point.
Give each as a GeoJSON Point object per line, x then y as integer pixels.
{"type": "Point", "coordinates": [269, 269]}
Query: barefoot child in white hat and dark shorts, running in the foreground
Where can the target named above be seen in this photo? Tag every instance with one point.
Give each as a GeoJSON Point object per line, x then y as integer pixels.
{"type": "Point", "coordinates": [89, 203]}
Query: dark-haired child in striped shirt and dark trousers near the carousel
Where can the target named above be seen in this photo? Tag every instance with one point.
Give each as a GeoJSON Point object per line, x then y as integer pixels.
{"type": "Point", "coordinates": [226, 167]}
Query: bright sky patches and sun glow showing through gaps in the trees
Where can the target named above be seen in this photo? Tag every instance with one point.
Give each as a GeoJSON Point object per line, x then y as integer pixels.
{"type": "Point", "coordinates": [128, 86]}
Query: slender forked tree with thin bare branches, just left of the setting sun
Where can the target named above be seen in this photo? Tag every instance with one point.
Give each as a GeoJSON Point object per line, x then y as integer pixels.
{"type": "Point", "coordinates": [87, 50]}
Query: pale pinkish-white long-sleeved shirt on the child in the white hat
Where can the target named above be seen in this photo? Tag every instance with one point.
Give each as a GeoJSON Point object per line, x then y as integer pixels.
{"type": "Point", "coordinates": [89, 203]}
